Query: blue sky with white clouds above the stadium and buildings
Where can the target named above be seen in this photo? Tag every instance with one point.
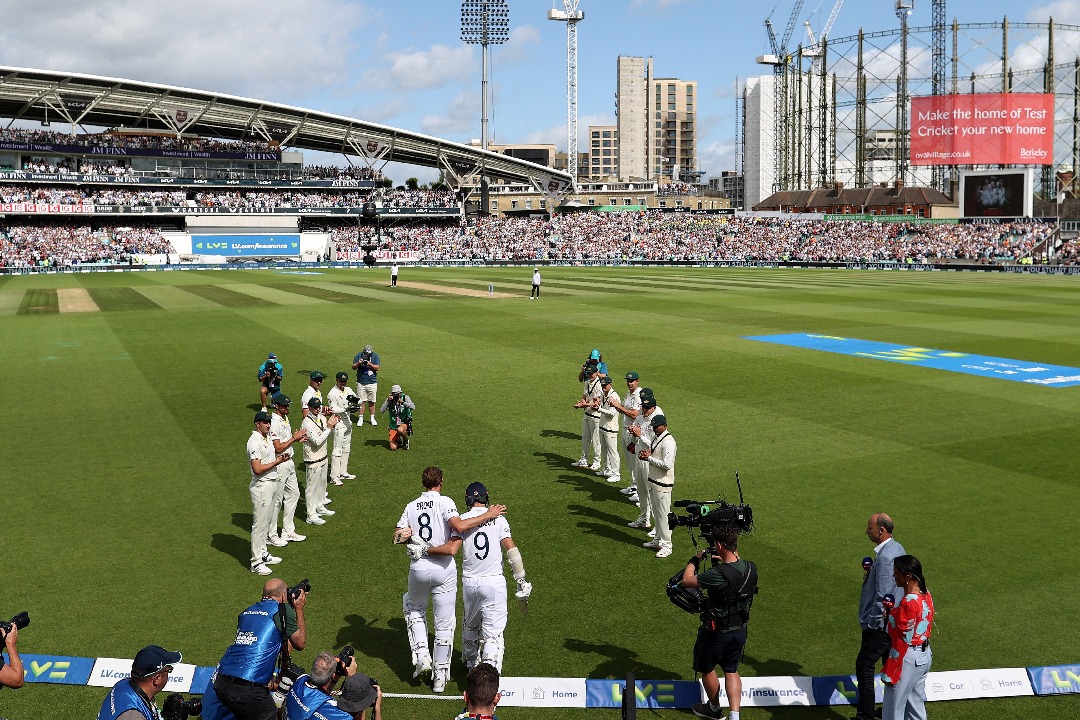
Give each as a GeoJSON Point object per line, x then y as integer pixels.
{"type": "Point", "coordinates": [402, 63]}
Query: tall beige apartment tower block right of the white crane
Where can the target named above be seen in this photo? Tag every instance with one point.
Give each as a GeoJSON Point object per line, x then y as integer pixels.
{"type": "Point", "coordinates": [657, 130]}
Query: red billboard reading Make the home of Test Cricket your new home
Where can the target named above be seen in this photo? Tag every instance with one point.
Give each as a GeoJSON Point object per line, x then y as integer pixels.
{"type": "Point", "coordinates": [1006, 129]}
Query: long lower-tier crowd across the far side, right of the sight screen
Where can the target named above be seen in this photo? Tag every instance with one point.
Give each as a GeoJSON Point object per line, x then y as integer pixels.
{"type": "Point", "coordinates": [654, 236]}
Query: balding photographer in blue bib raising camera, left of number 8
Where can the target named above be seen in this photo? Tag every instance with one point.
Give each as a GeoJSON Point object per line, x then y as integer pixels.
{"type": "Point", "coordinates": [267, 630]}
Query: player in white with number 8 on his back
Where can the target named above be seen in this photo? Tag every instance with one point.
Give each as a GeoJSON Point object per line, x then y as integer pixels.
{"type": "Point", "coordinates": [429, 521]}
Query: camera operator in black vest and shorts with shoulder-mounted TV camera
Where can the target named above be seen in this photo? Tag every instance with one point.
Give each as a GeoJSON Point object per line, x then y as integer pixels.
{"type": "Point", "coordinates": [731, 586]}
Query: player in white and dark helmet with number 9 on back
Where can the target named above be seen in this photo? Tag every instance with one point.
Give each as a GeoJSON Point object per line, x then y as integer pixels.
{"type": "Point", "coordinates": [482, 582]}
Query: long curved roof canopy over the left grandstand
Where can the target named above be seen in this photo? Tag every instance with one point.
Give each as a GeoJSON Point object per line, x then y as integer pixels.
{"type": "Point", "coordinates": [84, 100]}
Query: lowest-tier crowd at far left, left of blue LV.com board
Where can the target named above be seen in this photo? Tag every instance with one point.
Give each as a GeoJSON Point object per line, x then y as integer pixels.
{"type": "Point", "coordinates": [65, 244]}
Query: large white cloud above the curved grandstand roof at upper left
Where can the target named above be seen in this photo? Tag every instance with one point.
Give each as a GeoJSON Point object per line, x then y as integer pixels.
{"type": "Point", "coordinates": [254, 48]}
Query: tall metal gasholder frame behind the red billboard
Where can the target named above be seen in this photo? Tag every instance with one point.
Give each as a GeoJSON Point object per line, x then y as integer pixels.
{"type": "Point", "coordinates": [845, 107]}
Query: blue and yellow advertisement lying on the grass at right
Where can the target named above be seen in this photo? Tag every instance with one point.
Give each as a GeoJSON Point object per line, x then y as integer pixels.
{"type": "Point", "coordinates": [1003, 369]}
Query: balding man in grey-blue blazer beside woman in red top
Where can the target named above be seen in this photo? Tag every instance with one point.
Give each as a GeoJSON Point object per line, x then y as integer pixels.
{"type": "Point", "coordinates": [877, 583]}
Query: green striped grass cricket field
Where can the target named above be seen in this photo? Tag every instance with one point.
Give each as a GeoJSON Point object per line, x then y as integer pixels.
{"type": "Point", "coordinates": [127, 515]}
